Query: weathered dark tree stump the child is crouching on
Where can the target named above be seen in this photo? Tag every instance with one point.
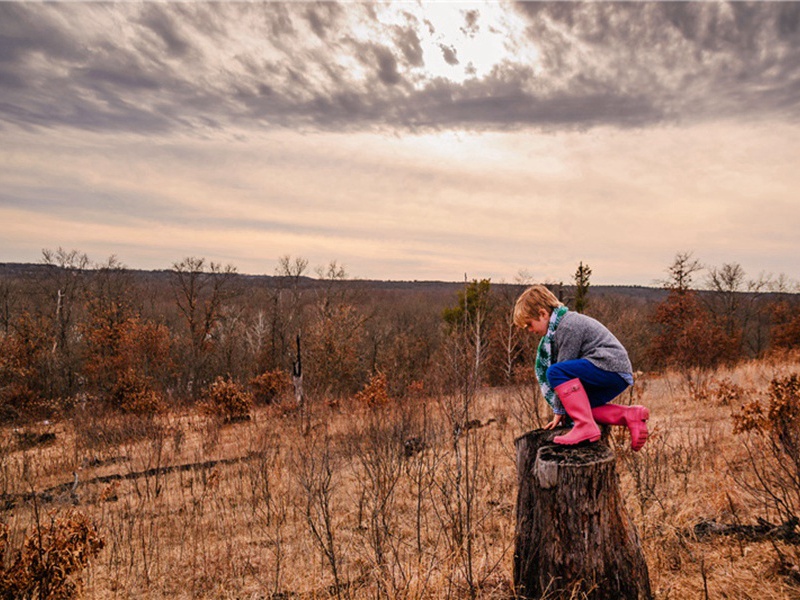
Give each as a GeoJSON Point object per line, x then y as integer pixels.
{"type": "Point", "coordinates": [574, 536]}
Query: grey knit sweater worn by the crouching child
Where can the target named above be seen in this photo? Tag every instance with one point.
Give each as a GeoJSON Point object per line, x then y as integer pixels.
{"type": "Point", "coordinates": [579, 336]}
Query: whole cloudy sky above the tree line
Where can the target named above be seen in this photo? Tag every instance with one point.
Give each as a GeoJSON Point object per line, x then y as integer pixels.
{"type": "Point", "coordinates": [404, 140]}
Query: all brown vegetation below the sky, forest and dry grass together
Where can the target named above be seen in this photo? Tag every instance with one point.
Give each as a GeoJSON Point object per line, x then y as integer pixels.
{"type": "Point", "coordinates": [159, 407]}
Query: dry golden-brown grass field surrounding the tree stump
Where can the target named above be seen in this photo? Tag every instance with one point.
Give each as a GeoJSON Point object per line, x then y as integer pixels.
{"type": "Point", "coordinates": [351, 500]}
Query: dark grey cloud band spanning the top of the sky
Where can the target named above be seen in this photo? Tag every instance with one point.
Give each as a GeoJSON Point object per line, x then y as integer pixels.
{"type": "Point", "coordinates": [621, 64]}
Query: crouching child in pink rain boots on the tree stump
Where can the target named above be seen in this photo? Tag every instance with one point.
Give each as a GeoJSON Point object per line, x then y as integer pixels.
{"type": "Point", "coordinates": [581, 367]}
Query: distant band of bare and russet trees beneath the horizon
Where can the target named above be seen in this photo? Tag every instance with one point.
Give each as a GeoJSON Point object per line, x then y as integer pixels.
{"type": "Point", "coordinates": [76, 332]}
